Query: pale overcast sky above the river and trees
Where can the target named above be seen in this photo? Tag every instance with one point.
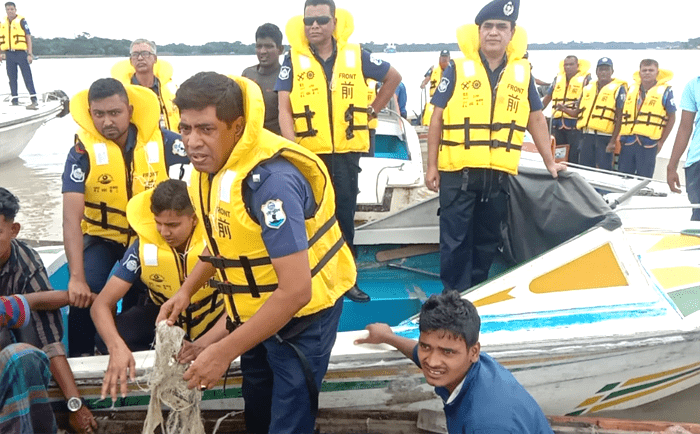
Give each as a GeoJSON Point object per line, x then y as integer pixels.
{"type": "Point", "coordinates": [195, 22]}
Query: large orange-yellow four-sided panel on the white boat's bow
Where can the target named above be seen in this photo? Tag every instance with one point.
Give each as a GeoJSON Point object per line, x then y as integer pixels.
{"type": "Point", "coordinates": [596, 269]}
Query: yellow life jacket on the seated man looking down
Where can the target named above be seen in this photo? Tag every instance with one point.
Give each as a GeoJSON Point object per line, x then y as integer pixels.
{"type": "Point", "coordinates": [163, 269]}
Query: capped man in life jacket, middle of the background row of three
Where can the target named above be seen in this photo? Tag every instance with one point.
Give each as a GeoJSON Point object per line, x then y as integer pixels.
{"type": "Point", "coordinates": [600, 116]}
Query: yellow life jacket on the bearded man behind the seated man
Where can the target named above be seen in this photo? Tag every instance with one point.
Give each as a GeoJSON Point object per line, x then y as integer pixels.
{"type": "Point", "coordinates": [110, 184]}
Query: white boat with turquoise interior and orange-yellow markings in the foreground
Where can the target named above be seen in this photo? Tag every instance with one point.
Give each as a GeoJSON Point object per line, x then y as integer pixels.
{"type": "Point", "coordinates": [598, 314]}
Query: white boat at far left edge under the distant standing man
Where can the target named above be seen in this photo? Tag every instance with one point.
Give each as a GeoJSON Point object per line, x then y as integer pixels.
{"type": "Point", "coordinates": [18, 125]}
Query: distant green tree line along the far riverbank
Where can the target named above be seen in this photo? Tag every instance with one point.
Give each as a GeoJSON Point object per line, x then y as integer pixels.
{"type": "Point", "coordinates": [85, 45]}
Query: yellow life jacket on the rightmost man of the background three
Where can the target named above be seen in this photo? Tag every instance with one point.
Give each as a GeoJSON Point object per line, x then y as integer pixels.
{"type": "Point", "coordinates": [651, 118]}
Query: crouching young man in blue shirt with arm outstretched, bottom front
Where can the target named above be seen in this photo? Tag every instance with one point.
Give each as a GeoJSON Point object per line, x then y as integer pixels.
{"type": "Point", "coordinates": [479, 394]}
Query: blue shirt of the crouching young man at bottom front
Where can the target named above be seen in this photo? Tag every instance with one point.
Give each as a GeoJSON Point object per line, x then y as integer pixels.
{"type": "Point", "coordinates": [491, 401]}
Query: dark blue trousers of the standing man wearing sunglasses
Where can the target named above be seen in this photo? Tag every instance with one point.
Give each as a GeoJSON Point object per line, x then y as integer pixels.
{"type": "Point", "coordinates": [344, 170]}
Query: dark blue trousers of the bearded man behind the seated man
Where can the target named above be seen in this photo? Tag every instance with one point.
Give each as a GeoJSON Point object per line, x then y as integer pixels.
{"type": "Point", "coordinates": [99, 257]}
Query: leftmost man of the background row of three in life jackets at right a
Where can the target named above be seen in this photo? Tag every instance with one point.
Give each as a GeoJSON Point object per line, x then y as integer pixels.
{"type": "Point", "coordinates": [565, 92]}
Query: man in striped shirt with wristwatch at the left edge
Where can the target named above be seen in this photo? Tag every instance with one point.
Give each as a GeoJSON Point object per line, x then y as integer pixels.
{"type": "Point", "coordinates": [22, 272]}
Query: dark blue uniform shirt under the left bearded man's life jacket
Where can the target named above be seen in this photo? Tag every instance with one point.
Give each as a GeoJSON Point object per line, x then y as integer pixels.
{"type": "Point", "coordinates": [77, 165]}
